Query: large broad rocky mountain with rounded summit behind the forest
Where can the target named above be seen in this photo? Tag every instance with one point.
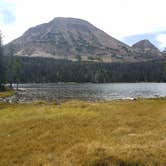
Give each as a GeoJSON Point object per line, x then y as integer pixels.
{"type": "Point", "coordinates": [70, 38]}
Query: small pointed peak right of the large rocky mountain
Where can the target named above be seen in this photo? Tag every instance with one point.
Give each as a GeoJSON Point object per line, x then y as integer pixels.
{"type": "Point", "coordinates": [147, 49]}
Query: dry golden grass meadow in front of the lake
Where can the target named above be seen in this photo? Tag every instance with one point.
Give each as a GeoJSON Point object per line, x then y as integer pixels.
{"type": "Point", "coordinates": [75, 133]}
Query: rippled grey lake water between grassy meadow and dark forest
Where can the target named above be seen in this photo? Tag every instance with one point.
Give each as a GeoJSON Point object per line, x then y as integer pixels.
{"type": "Point", "coordinates": [89, 91]}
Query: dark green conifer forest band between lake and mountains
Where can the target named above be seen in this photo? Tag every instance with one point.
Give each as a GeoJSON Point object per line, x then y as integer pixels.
{"type": "Point", "coordinates": [45, 70]}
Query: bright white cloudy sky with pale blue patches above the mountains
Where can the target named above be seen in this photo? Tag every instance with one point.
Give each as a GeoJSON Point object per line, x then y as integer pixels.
{"type": "Point", "coordinates": [126, 20]}
